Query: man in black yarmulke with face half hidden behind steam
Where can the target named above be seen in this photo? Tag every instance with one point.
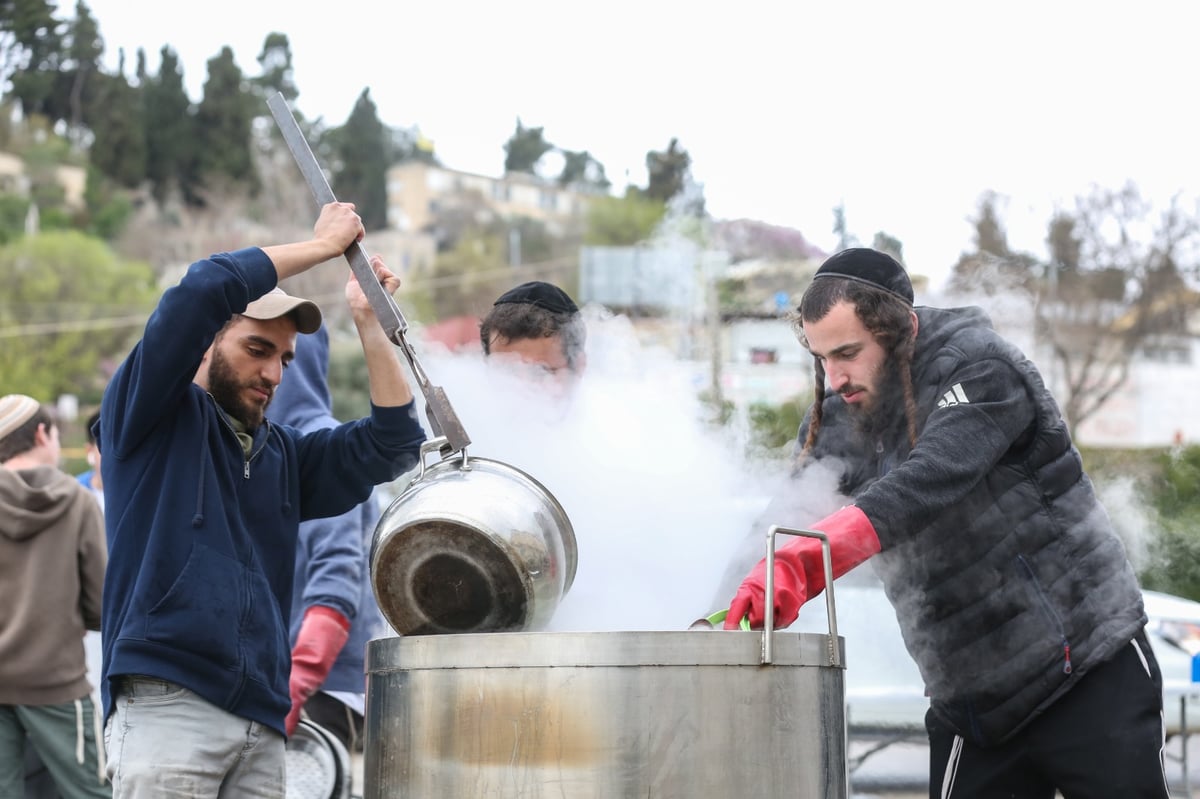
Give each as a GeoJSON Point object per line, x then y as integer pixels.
{"type": "Point", "coordinates": [537, 325]}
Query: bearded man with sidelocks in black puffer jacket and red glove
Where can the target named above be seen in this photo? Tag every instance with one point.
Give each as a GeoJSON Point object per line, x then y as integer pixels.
{"type": "Point", "coordinates": [1012, 590]}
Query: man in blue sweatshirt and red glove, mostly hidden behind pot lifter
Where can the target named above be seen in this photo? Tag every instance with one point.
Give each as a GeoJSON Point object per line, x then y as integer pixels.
{"type": "Point", "coordinates": [333, 573]}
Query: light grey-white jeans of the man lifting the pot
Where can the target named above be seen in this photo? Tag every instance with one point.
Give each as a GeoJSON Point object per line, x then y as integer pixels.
{"type": "Point", "coordinates": [165, 742]}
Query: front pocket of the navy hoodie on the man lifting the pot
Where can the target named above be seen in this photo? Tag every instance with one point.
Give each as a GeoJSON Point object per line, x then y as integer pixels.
{"type": "Point", "coordinates": [201, 612]}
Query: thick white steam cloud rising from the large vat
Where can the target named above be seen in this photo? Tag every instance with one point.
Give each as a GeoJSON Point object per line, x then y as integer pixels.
{"type": "Point", "coordinates": [664, 506]}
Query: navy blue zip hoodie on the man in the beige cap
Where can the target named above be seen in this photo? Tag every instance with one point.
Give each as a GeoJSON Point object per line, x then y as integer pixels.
{"type": "Point", "coordinates": [203, 538]}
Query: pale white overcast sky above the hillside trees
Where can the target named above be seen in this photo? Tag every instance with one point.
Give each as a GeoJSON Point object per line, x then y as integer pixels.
{"type": "Point", "coordinates": [904, 112]}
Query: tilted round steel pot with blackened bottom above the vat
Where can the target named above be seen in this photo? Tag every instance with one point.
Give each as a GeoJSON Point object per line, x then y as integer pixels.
{"type": "Point", "coordinates": [472, 546]}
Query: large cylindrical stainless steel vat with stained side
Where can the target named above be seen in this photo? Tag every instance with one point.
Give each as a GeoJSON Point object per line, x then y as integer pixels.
{"type": "Point", "coordinates": [602, 716]}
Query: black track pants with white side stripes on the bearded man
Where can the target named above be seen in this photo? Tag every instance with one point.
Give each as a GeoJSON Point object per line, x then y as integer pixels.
{"type": "Point", "coordinates": [1102, 741]}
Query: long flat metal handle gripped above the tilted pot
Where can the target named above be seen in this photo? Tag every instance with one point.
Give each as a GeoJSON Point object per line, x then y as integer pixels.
{"type": "Point", "coordinates": [441, 413]}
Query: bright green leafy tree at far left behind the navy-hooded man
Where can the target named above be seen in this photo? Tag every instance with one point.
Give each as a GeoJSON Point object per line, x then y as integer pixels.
{"type": "Point", "coordinates": [69, 313]}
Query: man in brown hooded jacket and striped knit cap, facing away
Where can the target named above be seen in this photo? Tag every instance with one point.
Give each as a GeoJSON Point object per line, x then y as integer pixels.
{"type": "Point", "coordinates": [52, 568]}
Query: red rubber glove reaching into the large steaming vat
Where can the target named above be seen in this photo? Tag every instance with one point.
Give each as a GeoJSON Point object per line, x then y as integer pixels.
{"type": "Point", "coordinates": [800, 573]}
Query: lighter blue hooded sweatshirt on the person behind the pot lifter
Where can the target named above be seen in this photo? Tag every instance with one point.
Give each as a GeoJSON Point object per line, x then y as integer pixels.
{"type": "Point", "coordinates": [333, 561]}
